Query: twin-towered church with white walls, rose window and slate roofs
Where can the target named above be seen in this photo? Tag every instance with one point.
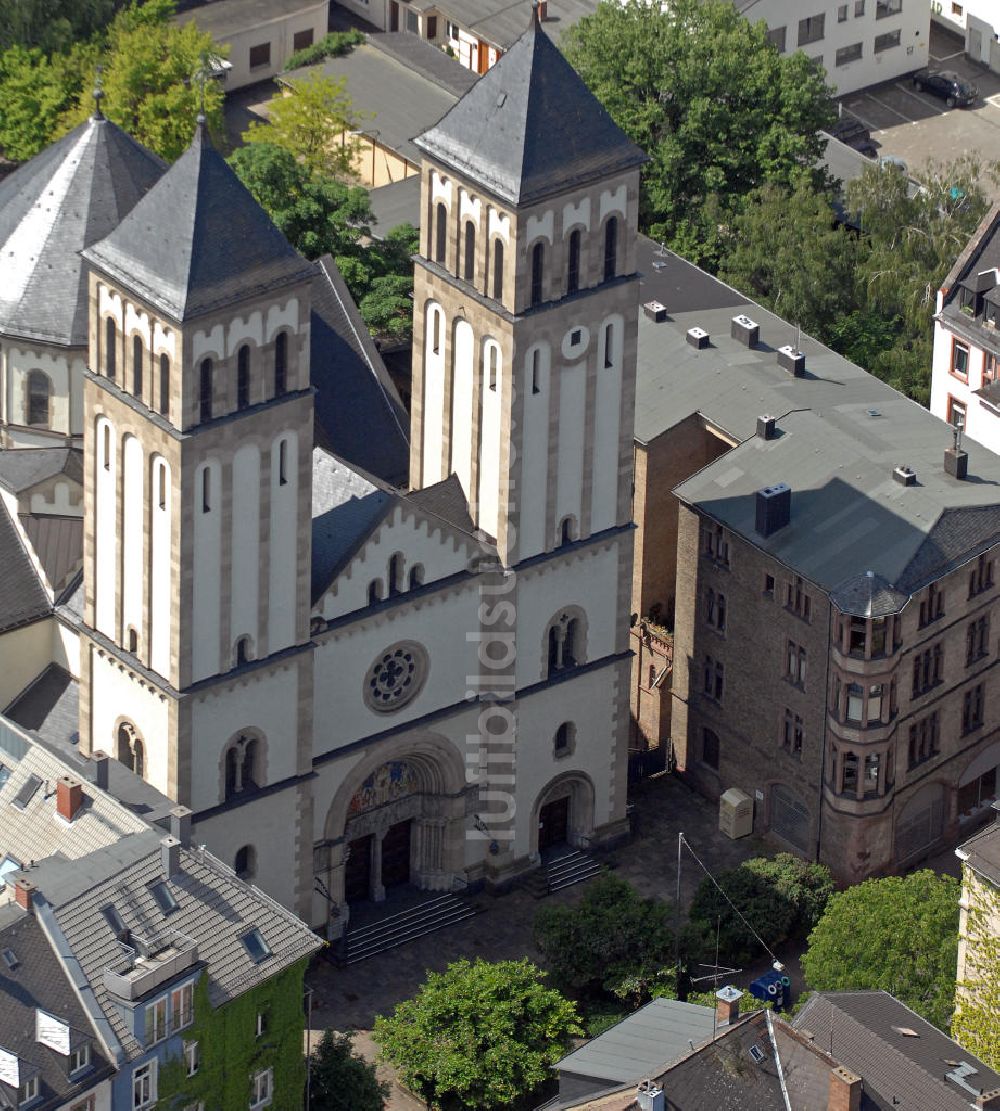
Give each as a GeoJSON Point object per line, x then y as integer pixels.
{"type": "Point", "coordinates": [355, 680]}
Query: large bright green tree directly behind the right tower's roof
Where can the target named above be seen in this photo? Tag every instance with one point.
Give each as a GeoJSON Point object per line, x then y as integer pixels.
{"type": "Point", "coordinates": [718, 111]}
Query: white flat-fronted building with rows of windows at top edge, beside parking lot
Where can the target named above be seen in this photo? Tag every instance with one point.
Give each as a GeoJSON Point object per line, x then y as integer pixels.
{"type": "Point", "coordinates": [858, 44]}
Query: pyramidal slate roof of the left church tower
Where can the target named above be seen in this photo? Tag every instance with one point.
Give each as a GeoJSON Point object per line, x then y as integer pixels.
{"type": "Point", "coordinates": [214, 243]}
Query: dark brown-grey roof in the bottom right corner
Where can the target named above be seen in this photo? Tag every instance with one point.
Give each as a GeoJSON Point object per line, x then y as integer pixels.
{"type": "Point", "coordinates": [897, 1069]}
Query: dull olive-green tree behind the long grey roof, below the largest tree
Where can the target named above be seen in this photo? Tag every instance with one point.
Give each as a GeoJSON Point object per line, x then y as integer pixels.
{"type": "Point", "coordinates": [785, 251]}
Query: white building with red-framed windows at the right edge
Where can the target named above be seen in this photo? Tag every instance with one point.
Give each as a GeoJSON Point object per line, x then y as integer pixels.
{"type": "Point", "coordinates": [965, 391]}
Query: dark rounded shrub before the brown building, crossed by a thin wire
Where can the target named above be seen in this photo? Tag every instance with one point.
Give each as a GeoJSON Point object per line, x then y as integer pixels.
{"type": "Point", "coordinates": [781, 898]}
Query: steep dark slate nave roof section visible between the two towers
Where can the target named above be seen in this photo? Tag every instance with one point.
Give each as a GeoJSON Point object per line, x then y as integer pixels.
{"type": "Point", "coordinates": [358, 412]}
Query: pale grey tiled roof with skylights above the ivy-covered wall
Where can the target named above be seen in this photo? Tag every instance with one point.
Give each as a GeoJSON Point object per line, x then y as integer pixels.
{"type": "Point", "coordinates": [215, 909]}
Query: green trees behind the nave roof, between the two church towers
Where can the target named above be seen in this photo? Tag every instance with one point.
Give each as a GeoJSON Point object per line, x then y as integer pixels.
{"type": "Point", "coordinates": [319, 216]}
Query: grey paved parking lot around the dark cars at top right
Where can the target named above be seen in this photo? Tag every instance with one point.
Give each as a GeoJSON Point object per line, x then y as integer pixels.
{"type": "Point", "coordinates": [918, 127]}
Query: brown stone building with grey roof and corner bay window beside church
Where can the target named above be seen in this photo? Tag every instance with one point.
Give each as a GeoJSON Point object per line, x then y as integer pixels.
{"type": "Point", "coordinates": [826, 558]}
